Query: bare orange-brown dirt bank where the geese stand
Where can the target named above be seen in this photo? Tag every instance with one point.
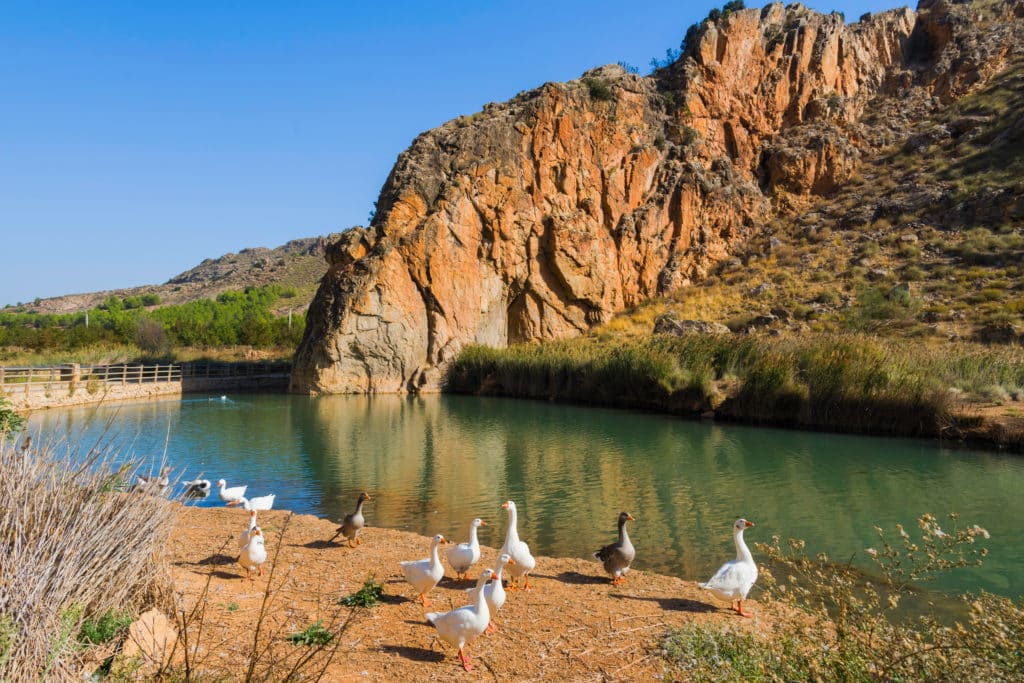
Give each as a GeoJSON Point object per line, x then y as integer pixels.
{"type": "Point", "coordinates": [574, 625]}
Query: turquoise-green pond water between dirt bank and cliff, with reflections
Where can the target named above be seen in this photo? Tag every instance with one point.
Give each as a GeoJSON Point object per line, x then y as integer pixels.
{"type": "Point", "coordinates": [435, 463]}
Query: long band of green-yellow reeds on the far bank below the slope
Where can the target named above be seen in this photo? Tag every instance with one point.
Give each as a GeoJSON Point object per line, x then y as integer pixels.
{"type": "Point", "coordinates": [843, 382]}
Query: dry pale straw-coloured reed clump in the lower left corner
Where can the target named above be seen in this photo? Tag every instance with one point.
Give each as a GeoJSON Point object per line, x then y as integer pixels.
{"type": "Point", "coordinates": [73, 548]}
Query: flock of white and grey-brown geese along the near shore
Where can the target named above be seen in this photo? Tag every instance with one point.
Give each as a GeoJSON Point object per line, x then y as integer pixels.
{"type": "Point", "coordinates": [460, 627]}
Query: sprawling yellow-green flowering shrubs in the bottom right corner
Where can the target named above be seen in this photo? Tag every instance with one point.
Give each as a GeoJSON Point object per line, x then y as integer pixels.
{"type": "Point", "coordinates": [840, 626]}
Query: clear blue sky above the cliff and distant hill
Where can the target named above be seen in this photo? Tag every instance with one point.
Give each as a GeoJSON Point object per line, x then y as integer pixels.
{"type": "Point", "coordinates": [138, 139]}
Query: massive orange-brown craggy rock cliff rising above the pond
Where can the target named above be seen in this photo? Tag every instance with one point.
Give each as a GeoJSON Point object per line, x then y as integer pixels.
{"type": "Point", "coordinates": [540, 218]}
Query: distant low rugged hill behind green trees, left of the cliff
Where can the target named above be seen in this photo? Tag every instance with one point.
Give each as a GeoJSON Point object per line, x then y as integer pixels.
{"type": "Point", "coordinates": [298, 264]}
